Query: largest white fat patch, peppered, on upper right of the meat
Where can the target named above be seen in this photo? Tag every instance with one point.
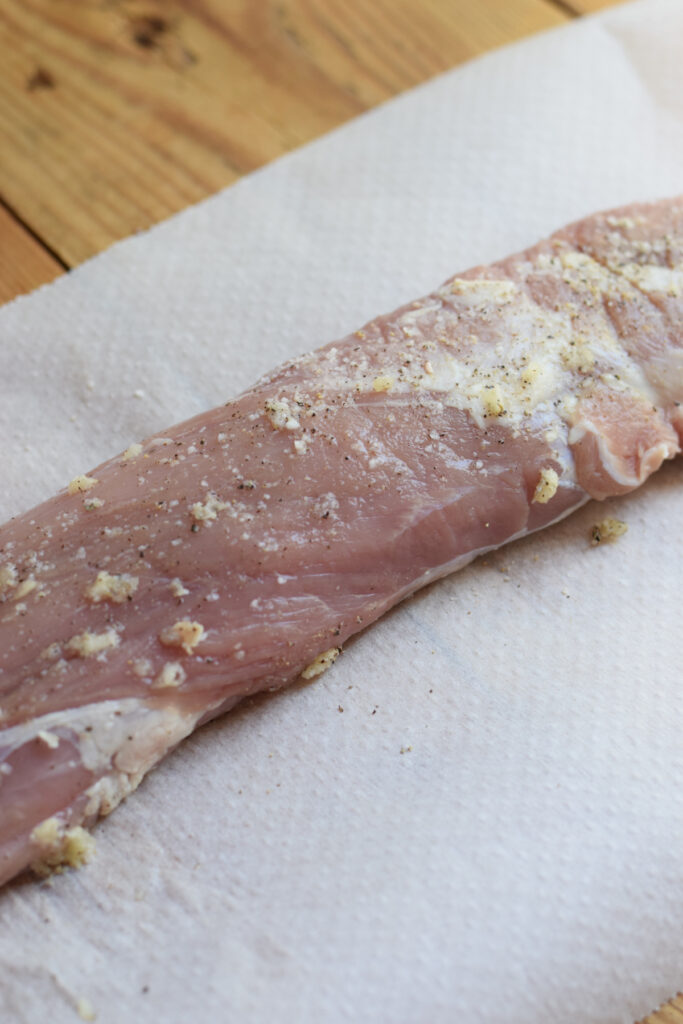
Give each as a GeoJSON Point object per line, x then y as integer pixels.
{"type": "Point", "coordinates": [540, 361]}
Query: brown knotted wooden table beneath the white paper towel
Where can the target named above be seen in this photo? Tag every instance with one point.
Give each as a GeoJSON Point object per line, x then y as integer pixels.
{"type": "Point", "coordinates": [115, 114]}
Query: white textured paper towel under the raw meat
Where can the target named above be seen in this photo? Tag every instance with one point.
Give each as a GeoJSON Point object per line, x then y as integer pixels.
{"type": "Point", "coordinates": [522, 861]}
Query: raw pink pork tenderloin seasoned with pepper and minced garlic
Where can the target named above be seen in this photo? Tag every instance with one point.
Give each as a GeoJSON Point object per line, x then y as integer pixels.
{"type": "Point", "coordinates": [242, 548]}
